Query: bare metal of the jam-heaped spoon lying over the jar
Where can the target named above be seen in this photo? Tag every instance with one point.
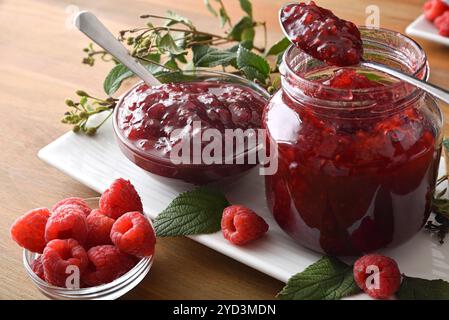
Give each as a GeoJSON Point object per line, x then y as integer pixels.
{"type": "Point", "coordinates": [430, 88]}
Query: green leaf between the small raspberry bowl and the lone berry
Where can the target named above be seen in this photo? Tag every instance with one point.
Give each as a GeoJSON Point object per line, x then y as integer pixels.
{"type": "Point", "coordinates": [192, 213]}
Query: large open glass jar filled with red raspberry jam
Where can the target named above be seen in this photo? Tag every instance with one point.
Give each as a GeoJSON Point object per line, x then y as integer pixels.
{"type": "Point", "coordinates": [358, 152]}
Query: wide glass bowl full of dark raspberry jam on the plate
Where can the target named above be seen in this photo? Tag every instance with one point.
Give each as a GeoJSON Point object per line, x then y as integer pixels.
{"type": "Point", "coordinates": [150, 123]}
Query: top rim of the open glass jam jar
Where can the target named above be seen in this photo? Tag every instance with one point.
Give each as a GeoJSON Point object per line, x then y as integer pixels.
{"type": "Point", "coordinates": [421, 65]}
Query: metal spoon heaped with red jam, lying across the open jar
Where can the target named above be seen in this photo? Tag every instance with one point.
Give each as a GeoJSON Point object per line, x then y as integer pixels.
{"type": "Point", "coordinates": [326, 37]}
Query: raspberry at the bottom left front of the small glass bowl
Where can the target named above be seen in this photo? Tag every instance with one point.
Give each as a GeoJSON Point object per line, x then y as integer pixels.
{"type": "Point", "coordinates": [58, 256]}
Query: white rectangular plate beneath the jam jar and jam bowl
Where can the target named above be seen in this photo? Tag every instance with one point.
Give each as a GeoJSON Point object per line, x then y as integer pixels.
{"type": "Point", "coordinates": [97, 161]}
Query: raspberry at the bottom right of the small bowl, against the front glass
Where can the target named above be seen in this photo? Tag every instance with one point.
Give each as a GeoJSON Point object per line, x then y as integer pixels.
{"type": "Point", "coordinates": [107, 263]}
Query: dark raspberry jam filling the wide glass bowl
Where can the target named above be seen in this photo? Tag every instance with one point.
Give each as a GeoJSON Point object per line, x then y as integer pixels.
{"type": "Point", "coordinates": [151, 121]}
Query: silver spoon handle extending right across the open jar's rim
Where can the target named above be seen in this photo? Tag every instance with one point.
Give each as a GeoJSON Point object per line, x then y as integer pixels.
{"type": "Point", "coordinates": [430, 88]}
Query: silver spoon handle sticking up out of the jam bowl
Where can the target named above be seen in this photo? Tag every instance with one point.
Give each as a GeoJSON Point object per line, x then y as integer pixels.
{"type": "Point", "coordinates": [89, 24]}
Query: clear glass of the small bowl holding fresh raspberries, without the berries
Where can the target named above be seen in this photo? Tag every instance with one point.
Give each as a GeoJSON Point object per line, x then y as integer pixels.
{"type": "Point", "coordinates": [109, 291]}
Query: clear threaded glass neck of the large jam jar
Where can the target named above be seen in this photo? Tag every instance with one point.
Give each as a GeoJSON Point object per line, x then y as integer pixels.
{"type": "Point", "coordinates": [387, 47]}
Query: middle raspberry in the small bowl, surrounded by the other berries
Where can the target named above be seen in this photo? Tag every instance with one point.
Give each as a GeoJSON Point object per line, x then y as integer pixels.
{"type": "Point", "coordinates": [99, 229]}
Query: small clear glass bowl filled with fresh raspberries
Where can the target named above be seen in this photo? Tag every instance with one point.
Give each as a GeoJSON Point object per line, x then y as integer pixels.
{"type": "Point", "coordinates": [88, 249]}
